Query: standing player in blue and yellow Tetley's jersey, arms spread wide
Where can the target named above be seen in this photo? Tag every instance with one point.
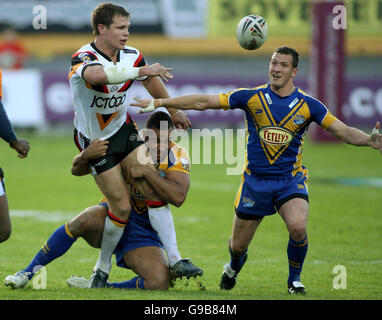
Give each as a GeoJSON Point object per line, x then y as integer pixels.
{"type": "Point", "coordinates": [277, 117]}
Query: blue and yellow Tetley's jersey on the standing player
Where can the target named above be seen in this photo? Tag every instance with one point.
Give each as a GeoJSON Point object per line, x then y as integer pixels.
{"type": "Point", "coordinates": [276, 127]}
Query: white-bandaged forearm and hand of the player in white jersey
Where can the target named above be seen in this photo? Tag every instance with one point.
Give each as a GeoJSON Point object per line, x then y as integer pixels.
{"type": "Point", "coordinates": [120, 73]}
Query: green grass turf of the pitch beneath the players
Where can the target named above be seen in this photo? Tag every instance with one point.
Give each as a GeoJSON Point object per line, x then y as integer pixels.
{"type": "Point", "coordinates": [344, 228]}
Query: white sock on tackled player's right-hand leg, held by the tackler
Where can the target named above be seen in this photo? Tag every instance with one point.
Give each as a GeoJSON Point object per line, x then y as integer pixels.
{"type": "Point", "coordinates": [162, 222]}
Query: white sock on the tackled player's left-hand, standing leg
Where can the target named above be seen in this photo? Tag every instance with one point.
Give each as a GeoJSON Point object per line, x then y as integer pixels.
{"type": "Point", "coordinates": [110, 238]}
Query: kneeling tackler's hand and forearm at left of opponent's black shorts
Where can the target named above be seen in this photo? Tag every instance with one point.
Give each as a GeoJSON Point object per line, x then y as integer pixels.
{"type": "Point", "coordinates": [94, 150]}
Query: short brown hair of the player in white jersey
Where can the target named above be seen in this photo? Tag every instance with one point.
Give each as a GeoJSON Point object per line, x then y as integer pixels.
{"type": "Point", "coordinates": [104, 14]}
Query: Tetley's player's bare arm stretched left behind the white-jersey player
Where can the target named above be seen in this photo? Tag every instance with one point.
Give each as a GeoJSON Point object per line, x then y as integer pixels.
{"type": "Point", "coordinates": [190, 102]}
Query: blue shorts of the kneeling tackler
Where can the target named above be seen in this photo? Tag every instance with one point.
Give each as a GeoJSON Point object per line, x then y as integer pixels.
{"type": "Point", "coordinates": [138, 233]}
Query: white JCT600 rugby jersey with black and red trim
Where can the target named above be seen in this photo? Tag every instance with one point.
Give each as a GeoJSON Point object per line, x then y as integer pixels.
{"type": "Point", "coordinates": [100, 111]}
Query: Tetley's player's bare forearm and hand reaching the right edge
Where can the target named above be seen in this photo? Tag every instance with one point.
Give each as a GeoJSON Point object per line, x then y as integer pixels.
{"type": "Point", "coordinates": [355, 136]}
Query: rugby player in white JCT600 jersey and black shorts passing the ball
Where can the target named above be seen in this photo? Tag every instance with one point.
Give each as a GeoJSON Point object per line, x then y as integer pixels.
{"type": "Point", "coordinates": [101, 73]}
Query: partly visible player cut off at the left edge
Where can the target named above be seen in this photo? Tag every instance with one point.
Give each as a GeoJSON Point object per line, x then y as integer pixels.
{"type": "Point", "coordinates": [22, 147]}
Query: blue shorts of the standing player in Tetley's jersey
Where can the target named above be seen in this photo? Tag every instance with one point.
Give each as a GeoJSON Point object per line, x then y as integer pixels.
{"type": "Point", "coordinates": [259, 196]}
